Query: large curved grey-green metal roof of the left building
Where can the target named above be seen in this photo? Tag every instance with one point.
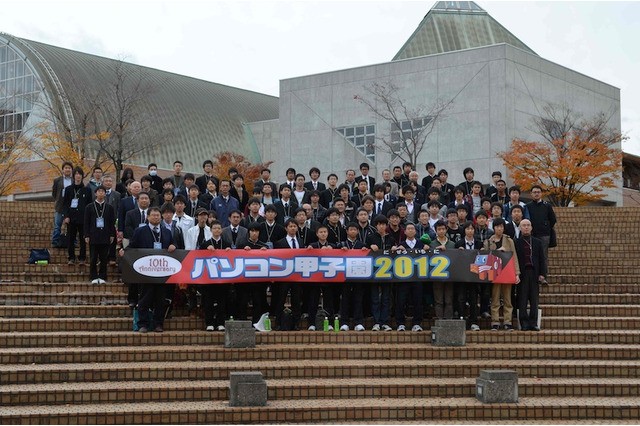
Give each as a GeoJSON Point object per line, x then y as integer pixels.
{"type": "Point", "coordinates": [201, 117]}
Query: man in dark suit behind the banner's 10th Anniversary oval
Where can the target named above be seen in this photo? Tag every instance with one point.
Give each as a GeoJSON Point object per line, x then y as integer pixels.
{"type": "Point", "coordinates": [152, 296]}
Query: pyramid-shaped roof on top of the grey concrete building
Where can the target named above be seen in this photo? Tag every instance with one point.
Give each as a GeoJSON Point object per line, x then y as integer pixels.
{"type": "Point", "coordinates": [456, 25]}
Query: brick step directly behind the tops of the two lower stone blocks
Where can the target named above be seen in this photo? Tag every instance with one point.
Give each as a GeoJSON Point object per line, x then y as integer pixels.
{"type": "Point", "coordinates": [297, 369]}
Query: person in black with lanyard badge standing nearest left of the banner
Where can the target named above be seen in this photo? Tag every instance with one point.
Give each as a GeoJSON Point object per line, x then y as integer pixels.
{"type": "Point", "coordinates": [100, 232]}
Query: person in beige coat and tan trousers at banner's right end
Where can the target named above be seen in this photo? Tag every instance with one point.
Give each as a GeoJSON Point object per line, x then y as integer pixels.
{"type": "Point", "coordinates": [501, 241]}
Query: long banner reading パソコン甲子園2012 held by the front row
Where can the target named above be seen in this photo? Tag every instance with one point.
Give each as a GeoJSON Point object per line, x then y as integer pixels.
{"type": "Point", "coordinates": [305, 265]}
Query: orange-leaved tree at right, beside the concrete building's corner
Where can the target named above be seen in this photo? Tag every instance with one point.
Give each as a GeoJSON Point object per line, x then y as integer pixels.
{"type": "Point", "coordinates": [574, 160]}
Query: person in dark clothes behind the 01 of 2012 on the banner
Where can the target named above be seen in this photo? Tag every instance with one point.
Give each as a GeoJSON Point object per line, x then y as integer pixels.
{"type": "Point", "coordinates": [410, 290]}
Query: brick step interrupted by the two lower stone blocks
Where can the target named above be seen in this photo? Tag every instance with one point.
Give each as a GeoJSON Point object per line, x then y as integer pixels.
{"type": "Point", "coordinates": [286, 389]}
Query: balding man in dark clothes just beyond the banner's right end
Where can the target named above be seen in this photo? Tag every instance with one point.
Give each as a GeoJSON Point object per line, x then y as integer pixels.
{"type": "Point", "coordinates": [533, 269]}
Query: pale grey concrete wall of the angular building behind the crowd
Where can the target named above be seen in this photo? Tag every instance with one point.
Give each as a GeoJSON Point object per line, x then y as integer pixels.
{"type": "Point", "coordinates": [496, 92]}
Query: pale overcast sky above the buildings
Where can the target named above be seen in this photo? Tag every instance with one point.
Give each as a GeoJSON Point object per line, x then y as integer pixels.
{"type": "Point", "coordinates": [254, 44]}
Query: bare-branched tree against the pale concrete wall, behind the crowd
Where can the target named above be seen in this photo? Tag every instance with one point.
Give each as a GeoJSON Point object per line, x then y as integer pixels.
{"type": "Point", "coordinates": [410, 126]}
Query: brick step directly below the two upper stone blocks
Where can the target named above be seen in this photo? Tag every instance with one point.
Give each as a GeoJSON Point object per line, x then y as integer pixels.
{"type": "Point", "coordinates": [310, 352]}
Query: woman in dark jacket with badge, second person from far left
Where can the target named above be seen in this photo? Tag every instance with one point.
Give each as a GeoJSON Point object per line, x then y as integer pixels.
{"type": "Point", "coordinates": [76, 197]}
